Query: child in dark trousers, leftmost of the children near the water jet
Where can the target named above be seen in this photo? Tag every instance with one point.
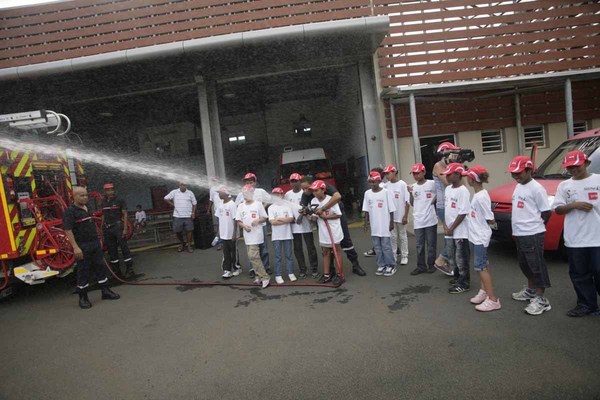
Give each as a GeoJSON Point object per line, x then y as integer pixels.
{"type": "Point", "coordinates": [225, 212]}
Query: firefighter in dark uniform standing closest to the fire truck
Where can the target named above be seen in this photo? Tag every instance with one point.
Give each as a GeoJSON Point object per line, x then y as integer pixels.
{"type": "Point", "coordinates": [81, 231]}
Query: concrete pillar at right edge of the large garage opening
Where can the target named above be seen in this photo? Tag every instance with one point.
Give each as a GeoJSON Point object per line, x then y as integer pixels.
{"type": "Point", "coordinates": [370, 107]}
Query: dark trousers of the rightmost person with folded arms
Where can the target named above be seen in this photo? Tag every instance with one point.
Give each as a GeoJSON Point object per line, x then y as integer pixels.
{"type": "Point", "coordinates": [584, 270]}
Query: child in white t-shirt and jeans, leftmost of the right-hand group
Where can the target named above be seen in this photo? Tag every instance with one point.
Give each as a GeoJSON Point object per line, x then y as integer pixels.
{"type": "Point", "coordinates": [378, 206]}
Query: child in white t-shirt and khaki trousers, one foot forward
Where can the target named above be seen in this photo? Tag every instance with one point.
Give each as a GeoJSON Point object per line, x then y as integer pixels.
{"type": "Point", "coordinates": [250, 215]}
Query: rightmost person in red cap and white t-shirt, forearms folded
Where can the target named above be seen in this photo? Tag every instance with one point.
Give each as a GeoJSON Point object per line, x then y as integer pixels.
{"type": "Point", "coordinates": [578, 199]}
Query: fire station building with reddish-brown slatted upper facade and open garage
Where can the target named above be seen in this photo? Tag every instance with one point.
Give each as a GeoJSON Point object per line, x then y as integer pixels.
{"type": "Point", "coordinates": [220, 87]}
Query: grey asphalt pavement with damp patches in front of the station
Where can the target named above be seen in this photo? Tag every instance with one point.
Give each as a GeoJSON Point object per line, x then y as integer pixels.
{"type": "Point", "coordinates": [399, 337]}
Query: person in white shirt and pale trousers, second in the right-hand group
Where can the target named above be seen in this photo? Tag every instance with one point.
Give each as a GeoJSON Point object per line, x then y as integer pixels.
{"type": "Point", "coordinates": [399, 191]}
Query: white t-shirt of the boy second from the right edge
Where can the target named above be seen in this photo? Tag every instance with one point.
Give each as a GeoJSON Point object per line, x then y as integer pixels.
{"type": "Point", "coordinates": [528, 202]}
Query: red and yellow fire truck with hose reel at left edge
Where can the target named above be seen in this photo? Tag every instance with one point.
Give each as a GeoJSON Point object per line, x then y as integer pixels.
{"type": "Point", "coordinates": [35, 190]}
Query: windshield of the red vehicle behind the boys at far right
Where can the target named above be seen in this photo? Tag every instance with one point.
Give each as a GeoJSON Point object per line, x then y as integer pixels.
{"type": "Point", "coordinates": [552, 168]}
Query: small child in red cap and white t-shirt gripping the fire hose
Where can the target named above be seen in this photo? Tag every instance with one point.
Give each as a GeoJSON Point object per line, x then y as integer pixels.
{"type": "Point", "coordinates": [332, 215]}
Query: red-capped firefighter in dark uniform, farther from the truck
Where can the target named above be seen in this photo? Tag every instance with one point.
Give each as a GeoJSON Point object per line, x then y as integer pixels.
{"type": "Point", "coordinates": [114, 213]}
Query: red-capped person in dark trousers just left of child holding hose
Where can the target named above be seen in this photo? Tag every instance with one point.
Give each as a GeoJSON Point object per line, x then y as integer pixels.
{"type": "Point", "coordinates": [302, 230]}
